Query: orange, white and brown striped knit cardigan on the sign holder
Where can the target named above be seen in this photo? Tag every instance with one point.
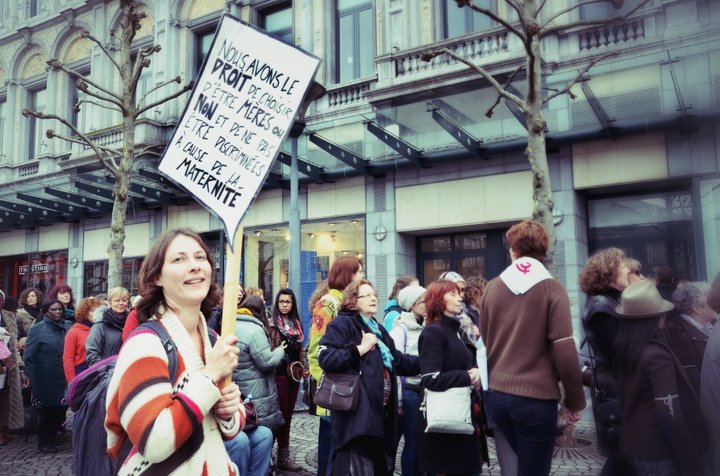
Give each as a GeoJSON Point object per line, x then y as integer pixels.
{"type": "Point", "coordinates": [172, 427]}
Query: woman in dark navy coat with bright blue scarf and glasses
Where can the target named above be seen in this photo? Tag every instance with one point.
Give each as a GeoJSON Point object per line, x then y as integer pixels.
{"type": "Point", "coordinates": [363, 441]}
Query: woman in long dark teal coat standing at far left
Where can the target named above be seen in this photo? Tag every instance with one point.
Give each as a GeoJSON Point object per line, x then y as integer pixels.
{"type": "Point", "coordinates": [43, 366]}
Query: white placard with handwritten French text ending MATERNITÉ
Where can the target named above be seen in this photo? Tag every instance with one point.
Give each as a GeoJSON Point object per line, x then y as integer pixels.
{"type": "Point", "coordinates": [239, 113]}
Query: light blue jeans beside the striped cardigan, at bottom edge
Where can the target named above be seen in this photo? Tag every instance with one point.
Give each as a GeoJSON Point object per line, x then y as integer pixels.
{"type": "Point", "coordinates": [251, 451]}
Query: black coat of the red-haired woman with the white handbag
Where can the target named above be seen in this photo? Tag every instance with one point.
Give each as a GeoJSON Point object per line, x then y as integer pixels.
{"type": "Point", "coordinates": [442, 350]}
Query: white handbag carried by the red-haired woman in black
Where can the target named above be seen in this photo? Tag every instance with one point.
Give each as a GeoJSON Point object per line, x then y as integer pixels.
{"type": "Point", "coordinates": [448, 411]}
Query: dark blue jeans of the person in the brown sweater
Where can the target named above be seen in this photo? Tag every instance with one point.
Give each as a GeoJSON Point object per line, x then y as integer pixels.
{"type": "Point", "coordinates": [529, 425]}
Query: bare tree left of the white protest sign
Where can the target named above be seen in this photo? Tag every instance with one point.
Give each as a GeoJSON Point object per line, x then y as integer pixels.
{"type": "Point", "coordinates": [118, 162]}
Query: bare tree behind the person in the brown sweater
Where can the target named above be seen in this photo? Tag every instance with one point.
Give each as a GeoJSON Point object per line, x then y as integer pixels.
{"type": "Point", "coordinates": [531, 28]}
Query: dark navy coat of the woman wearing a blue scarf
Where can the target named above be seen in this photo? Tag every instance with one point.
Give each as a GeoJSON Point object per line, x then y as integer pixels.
{"type": "Point", "coordinates": [338, 354]}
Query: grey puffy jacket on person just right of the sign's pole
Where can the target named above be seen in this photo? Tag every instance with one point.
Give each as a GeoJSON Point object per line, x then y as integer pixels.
{"type": "Point", "coordinates": [255, 373]}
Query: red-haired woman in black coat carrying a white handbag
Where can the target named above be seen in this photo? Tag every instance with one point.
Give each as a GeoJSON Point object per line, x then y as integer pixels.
{"type": "Point", "coordinates": [448, 360]}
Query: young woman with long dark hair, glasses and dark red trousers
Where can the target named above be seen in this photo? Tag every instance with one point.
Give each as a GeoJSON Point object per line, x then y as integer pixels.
{"type": "Point", "coordinates": [286, 327]}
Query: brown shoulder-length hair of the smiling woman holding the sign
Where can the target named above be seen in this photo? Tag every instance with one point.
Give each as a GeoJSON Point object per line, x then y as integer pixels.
{"type": "Point", "coordinates": [152, 294]}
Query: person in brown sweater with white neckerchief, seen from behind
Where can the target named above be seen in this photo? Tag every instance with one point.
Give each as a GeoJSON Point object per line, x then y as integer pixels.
{"type": "Point", "coordinates": [527, 328]}
